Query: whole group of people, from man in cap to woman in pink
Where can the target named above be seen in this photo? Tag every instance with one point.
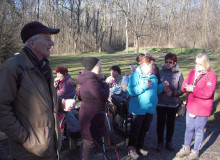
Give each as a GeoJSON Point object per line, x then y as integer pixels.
{"type": "Point", "coordinates": [29, 114]}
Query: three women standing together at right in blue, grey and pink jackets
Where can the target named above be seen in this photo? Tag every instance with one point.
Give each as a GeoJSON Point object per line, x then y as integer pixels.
{"type": "Point", "coordinates": [151, 89]}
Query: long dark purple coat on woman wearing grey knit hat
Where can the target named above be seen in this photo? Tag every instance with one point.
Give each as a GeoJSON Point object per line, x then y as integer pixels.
{"type": "Point", "coordinates": [94, 93]}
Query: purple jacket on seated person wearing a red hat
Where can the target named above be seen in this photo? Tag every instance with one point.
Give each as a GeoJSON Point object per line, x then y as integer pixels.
{"type": "Point", "coordinates": [67, 91]}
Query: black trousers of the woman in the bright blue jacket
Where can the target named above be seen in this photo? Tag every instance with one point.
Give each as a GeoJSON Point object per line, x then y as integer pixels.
{"type": "Point", "coordinates": [140, 125]}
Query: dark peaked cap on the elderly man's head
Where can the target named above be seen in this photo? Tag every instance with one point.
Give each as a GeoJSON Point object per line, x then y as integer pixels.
{"type": "Point", "coordinates": [35, 27]}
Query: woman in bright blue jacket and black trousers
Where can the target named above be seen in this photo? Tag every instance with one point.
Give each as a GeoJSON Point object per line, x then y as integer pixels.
{"type": "Point", "coordinates": [143, 88]}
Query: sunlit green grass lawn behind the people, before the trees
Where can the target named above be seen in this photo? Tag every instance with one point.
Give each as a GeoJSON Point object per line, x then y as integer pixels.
{"type": "Point", "coordinates": [185, 61]}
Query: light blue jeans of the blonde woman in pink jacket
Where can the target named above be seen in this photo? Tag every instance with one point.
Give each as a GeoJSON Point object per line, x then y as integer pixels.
{"type": "Point", "coordinates": [194, 125]}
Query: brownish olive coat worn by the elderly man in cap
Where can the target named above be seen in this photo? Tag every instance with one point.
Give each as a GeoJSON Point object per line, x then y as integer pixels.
{"type": "Point", "coordinates": [29, 116]}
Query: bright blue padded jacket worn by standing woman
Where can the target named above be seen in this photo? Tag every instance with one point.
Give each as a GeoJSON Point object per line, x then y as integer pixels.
{"type": "Point", "coordinates": [143, 99]}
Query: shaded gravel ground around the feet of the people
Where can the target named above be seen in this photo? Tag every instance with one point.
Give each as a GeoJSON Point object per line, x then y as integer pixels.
{"type": "Point", "coordinates": [210, 148]}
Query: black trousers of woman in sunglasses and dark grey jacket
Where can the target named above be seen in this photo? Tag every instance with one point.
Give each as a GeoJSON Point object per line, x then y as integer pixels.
{"type": "Point", "coordinates": [165, 115]}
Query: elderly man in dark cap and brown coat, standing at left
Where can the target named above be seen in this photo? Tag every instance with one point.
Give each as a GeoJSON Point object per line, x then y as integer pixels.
{"type": "Point", "coordinates": [28, 113]}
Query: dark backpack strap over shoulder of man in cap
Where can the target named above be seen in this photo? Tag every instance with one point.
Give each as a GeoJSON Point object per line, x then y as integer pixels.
{"type": "Point", "coordinates": [20, 69]}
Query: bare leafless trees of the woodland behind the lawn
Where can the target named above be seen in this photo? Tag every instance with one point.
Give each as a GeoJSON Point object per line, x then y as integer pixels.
{"type": "Point", "coordinates": [112, 25]}
